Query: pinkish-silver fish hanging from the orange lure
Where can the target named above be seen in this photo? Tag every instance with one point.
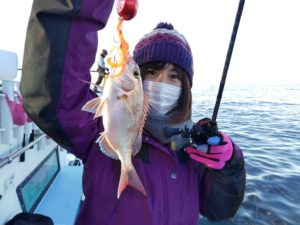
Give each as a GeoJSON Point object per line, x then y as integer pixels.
{"type": "Point", "coordinates": [123, 107]}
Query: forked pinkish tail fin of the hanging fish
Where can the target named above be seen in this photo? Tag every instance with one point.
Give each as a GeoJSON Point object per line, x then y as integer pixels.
{"type": "Point", "coordinates": [129, 177]}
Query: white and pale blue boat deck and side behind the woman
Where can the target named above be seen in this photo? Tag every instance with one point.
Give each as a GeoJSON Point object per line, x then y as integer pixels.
{"type": "Point", "coordinates": [36, 174]}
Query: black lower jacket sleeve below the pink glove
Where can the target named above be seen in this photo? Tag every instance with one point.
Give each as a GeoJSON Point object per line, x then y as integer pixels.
{"type": "Point", "coordinates": [222, 191]}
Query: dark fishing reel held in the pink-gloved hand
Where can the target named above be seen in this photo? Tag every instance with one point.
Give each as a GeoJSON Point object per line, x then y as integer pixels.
{"type": "Point", "coordinates": [205, 131]}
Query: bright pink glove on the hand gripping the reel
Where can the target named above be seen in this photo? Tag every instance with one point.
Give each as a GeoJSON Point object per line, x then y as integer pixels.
{"type": "Point", "coordinates": [216, 156]}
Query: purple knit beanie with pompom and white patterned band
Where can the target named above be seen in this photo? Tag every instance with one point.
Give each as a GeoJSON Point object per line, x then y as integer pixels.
{"type": "Point", "coordinates": [166, 44]}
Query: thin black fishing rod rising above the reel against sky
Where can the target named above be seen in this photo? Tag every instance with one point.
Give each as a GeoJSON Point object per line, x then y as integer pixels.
{"type": "Point", "coordinates": [228, 58]}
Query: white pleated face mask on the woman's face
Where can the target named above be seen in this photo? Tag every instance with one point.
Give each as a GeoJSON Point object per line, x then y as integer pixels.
{"type": "Point", "coordinates": [162, 97]}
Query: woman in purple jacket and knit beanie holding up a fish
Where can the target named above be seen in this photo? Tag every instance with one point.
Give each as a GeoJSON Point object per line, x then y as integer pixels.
{"type": "Point", "coordinates": [61, 42]}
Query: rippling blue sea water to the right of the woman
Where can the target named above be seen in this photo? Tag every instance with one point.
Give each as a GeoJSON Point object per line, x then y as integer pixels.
{"type": "Point", "coordinates": [264, 120]}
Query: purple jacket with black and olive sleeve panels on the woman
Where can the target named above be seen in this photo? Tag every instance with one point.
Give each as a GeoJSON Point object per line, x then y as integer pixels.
{"type": "Point", "coordinates": [60, 48]}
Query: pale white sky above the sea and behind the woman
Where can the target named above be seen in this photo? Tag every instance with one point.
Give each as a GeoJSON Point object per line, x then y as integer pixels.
{"type": "Point", "coordinates": [267, 47]}
